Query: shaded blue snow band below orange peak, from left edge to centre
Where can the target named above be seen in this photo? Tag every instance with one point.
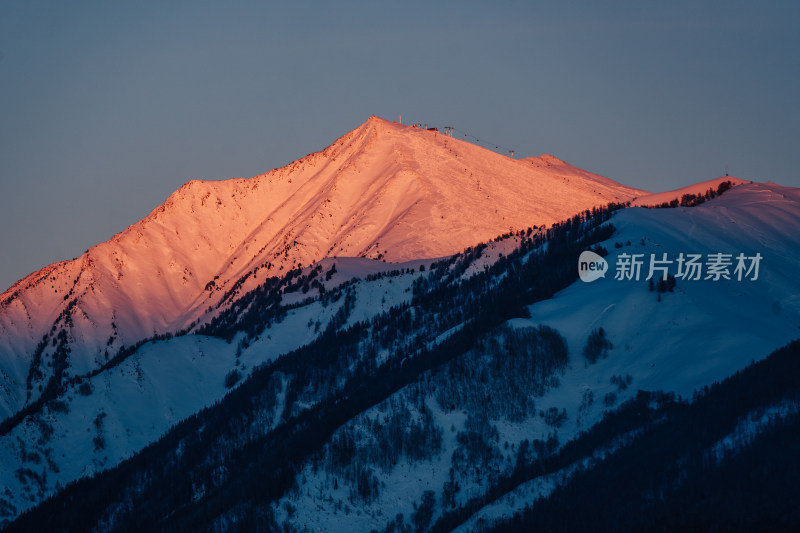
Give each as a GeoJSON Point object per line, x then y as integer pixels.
{"type": "Point", "coordinates": [116, 413]}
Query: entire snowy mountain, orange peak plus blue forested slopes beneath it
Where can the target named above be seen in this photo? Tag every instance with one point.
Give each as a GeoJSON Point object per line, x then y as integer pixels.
{"type": "Point", "coordinates": [434, 364]}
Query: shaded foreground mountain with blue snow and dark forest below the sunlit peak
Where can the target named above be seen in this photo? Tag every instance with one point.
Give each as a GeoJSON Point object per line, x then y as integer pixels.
{"type": "Point", "coordinates": [455, 395]}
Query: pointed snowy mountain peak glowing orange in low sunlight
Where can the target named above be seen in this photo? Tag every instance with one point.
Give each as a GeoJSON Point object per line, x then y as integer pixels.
{"type": "Point", "coordinates": [383, 191]}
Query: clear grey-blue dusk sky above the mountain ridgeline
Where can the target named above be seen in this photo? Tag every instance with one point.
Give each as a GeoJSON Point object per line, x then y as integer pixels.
{"type": "Point", "coordinates": [108, 107]}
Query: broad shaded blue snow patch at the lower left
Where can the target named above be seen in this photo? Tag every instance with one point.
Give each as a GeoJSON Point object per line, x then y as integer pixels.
{"type": "Point", "coordinates": [141, 398]}
